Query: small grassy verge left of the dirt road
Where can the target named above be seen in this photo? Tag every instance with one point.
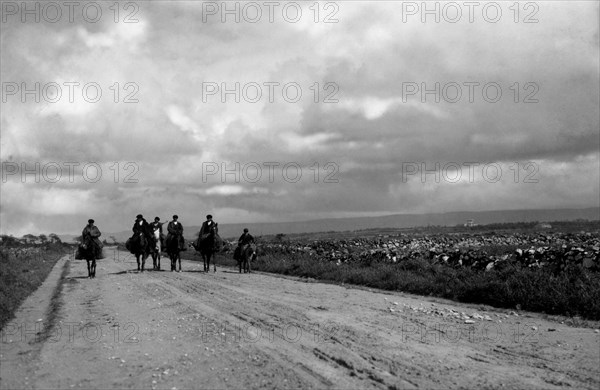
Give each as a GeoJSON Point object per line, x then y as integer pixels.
{"type": "Point", "coordinates": [22, 270]}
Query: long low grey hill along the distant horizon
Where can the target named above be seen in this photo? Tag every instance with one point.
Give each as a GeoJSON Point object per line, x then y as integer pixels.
{"type": "Point", "coordinates": [390, 221]}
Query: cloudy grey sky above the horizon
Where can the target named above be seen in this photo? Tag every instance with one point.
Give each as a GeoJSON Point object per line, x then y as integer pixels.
{"type": "Point", "coordinates": [290, 111]}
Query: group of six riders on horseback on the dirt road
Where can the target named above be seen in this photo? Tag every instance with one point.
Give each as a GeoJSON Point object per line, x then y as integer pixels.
{"type": "Point", "coordinates": [151, 235]}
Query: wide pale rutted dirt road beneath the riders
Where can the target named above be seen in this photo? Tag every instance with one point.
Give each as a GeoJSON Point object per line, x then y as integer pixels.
{"type": "Point", "coordinates": [126, 329]}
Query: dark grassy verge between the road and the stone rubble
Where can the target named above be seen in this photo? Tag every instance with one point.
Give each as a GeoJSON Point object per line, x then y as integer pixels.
{"type": "Point", "coordinates": [575, 292]}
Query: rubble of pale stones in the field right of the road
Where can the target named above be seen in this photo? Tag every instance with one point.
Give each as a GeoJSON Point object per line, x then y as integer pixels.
{"type": "Point", "coordinates": [480, 251]}
